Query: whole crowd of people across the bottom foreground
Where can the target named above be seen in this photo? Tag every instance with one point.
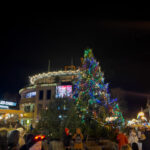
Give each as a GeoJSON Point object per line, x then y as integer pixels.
{"type": "Point", "coordinates": [18, 140]}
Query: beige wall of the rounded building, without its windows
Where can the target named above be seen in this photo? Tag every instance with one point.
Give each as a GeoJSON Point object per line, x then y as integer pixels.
{"type": "Point", "coordinates": [42, 84]}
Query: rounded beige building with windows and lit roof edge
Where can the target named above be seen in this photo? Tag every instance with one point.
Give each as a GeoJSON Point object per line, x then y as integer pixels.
{"type": "Point", "coordinates": [44, 88]}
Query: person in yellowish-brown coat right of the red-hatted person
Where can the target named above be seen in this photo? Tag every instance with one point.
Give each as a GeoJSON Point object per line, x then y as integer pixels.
{"type": "Point", "coordinates": [78, 137]}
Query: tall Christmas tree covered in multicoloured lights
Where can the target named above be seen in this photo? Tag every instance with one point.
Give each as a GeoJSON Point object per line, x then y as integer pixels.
{"type": "Point", "coordinates": [91, 93]}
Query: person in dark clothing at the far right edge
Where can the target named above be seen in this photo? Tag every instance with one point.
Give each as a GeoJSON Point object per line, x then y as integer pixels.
{"type": "Point", "coordinates": [146, 142]}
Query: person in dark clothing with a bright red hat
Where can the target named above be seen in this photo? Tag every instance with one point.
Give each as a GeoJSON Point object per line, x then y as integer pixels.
{"type": "Point", "coordinates": [67, 139]}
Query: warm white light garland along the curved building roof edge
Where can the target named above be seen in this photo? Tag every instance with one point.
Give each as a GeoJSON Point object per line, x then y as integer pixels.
{"type": "Point", "coordinates": [34, 78]}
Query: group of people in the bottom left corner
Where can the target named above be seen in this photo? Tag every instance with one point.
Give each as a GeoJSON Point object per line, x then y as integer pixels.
{"type": "Point", "coordinates": [17, 139]}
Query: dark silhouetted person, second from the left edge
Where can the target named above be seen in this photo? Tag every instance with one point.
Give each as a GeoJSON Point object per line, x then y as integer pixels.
{"type": "Point", "coordinates": [13, 140]}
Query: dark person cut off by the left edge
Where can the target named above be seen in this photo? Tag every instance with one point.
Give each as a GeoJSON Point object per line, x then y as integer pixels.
{"type": "Point", "coordinates": [3, 140]}
